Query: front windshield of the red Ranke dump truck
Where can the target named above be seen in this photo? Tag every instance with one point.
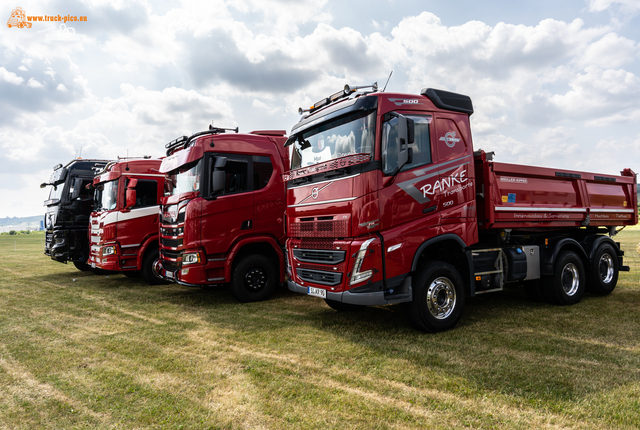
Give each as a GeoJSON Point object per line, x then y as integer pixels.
{"type": "Point", "coordinates": [351, 134]}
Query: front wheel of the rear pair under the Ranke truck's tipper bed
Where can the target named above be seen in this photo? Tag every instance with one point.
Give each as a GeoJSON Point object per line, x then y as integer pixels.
{"type": "Point", "coordinates": [566, 286]}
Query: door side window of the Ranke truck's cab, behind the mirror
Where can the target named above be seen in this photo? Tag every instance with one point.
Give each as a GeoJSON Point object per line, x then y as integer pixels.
{"type": "Point", "coordinates": [421, 145]}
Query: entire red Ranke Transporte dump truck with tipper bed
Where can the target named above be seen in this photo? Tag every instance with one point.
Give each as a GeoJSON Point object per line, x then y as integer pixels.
{"type": "Point", "coordinates": [387, 202]}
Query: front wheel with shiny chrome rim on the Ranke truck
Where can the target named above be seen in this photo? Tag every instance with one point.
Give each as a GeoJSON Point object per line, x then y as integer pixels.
{"type": "Point", "coordinates": [438, 298]}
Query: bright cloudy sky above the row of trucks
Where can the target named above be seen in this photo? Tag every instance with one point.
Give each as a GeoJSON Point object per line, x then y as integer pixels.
{"type": "Point", "coordinates": [554, 84]}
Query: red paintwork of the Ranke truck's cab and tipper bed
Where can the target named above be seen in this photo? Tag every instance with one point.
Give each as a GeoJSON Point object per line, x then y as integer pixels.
{"type": "Point", "coordinates": [371, 204]}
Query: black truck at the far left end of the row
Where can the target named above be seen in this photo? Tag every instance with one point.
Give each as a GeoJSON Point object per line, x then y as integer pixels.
{"type": "Point", "coordinates": [67, 211]}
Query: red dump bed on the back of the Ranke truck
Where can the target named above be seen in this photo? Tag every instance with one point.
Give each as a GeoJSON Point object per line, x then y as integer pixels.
{"type": "Point", "coordinates": [518, 196]}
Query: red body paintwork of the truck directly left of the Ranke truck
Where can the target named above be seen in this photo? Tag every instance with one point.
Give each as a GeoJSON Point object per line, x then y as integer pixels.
{"type": "Point", "coordinates": [212, 227]}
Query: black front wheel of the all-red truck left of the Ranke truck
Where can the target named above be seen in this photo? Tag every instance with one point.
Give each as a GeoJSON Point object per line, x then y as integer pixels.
{"type": "Point", "coordinates": [254, 279]}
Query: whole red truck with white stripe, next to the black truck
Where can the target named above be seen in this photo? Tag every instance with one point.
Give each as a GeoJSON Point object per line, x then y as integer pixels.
{"type": "Point", "coordinates": [123, 229]}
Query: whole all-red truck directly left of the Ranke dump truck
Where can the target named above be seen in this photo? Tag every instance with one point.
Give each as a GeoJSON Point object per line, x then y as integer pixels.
{"type": "Point", "coordinates": [223, 217]}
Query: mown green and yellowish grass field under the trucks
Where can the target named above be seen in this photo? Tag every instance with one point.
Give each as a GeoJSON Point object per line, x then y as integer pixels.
{"type": "Point", "coordinates": [84, 351]}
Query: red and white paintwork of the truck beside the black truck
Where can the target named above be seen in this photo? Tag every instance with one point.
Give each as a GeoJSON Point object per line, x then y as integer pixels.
{"type": "Point", "coordinates": [132, 231]}
